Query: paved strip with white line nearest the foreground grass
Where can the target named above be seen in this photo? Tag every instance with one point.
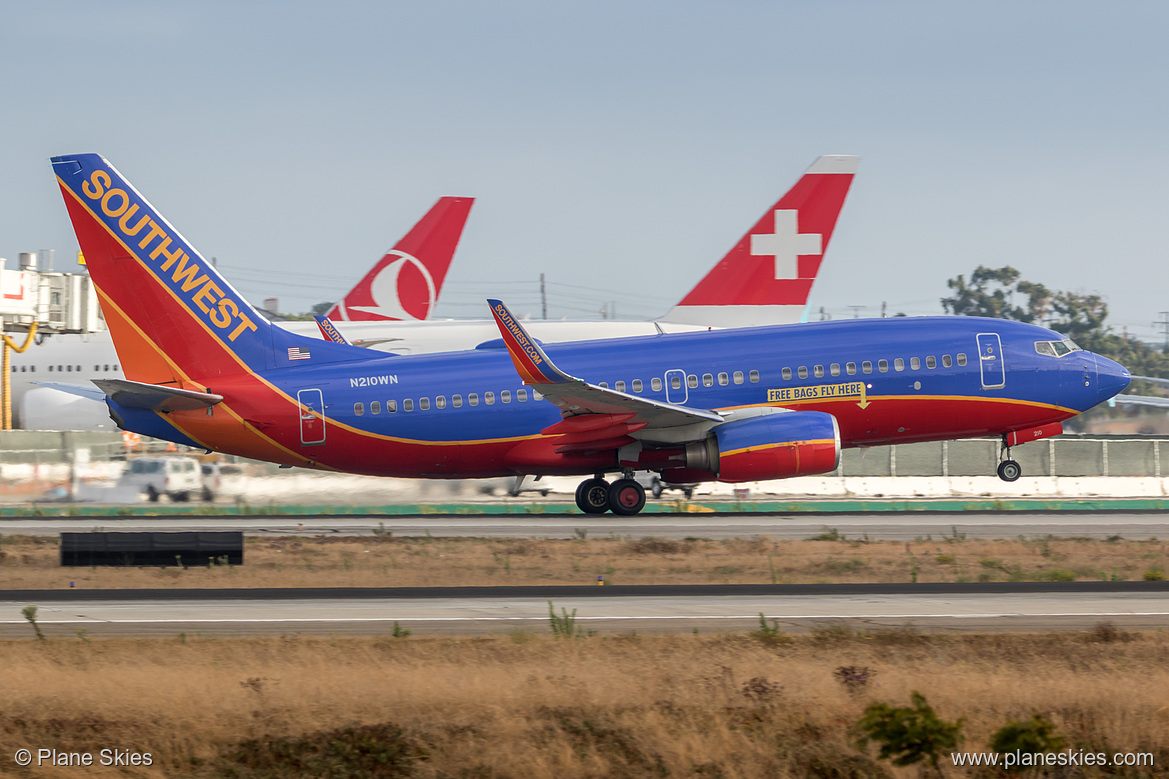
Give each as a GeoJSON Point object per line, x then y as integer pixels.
{"type": "Point", "coordinates": [476, 611]}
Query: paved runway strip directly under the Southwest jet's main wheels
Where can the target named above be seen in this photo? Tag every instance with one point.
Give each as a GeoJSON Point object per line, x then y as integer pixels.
{"type": "Point", "coordinates": [875, 527]}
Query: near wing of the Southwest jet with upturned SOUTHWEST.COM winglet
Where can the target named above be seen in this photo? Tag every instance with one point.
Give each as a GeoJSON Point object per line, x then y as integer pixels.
{"type": "Point", "coordinates": [614, 413]}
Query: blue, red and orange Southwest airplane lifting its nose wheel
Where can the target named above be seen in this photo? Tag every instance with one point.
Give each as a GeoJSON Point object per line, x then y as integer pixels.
{"type": "Point", "coordinates": [732, 405]}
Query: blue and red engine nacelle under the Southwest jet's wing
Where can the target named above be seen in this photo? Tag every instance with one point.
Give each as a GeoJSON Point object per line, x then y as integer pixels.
{"type": "Point", "coordinates": [778, 446]}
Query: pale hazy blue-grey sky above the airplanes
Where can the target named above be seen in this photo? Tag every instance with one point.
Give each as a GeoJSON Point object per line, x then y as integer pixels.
{"type": "Point", "coordinates": [619, 148]}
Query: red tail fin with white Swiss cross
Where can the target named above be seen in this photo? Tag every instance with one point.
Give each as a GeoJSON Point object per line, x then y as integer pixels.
{"type": "Point", "coordinates": [767, 278]}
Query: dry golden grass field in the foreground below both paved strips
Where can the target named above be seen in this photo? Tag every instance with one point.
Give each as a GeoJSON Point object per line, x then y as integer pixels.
{"type": "Point", "coordinates": [531, 707]}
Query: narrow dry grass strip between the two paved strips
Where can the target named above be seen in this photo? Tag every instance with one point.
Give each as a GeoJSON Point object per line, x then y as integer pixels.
{"type": "Point", "coordinates": [385, 562]}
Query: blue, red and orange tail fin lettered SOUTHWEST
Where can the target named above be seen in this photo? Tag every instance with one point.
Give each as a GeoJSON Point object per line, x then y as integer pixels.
{"type": "Point", "coordinates": [174, 319]}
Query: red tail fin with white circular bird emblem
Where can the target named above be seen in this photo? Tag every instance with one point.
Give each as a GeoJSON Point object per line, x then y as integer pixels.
{"type": "Point", "coordinates": [405, 284]}
